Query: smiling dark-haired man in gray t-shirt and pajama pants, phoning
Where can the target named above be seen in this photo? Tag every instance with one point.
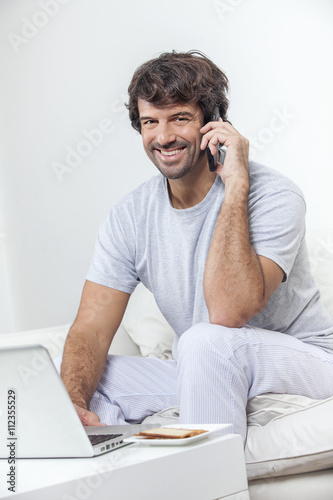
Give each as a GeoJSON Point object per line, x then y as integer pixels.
{"type": "Point", "coordinates": [223, 253]}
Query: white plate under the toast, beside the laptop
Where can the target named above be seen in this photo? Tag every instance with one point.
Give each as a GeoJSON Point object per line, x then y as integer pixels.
{"type": "Point", "coordinates": [210, 428]}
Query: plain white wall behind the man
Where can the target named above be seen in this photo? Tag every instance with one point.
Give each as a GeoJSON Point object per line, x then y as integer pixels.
{"type": "Point", "coordinates": [70, 74]}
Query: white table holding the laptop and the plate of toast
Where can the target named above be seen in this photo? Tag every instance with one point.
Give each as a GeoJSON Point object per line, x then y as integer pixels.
{"type": "Point", "coordinates": [207, 470]}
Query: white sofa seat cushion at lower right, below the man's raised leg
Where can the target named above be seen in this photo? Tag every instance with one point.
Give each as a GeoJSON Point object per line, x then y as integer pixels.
{"type": "Point", "coordinates": [288, 435]}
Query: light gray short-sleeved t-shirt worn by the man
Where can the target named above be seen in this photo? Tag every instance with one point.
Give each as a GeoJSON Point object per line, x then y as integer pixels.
{"type": "Point", "coordinates": [145, 239]}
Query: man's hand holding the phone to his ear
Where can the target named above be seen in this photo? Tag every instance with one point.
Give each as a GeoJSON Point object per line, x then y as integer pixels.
{"type": "Point", "coordinates": [235, 166]}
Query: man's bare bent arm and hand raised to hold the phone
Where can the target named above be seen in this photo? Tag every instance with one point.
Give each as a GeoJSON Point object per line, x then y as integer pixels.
{"type": "Point", "coordinates": [237, 282]}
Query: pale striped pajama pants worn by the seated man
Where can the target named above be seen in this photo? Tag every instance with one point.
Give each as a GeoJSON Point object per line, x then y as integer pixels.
{"type": "Point", "coordinates": [217, 370]}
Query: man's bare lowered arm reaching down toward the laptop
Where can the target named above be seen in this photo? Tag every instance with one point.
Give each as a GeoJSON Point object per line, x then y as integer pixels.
{"type": "Point", "coordinates": [99, 316]}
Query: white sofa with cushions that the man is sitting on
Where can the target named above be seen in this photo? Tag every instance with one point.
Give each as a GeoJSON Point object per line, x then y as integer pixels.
{"type": "Point", "coordinates": [289, 449]}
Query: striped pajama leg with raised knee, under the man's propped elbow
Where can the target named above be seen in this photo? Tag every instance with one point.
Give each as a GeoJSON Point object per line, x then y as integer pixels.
{"type": "Point", "coordinates": [220, 368]}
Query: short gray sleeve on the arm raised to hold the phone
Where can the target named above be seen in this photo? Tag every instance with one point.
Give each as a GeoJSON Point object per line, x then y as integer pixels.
{"type": "Point", "coordinates": [277, 226]}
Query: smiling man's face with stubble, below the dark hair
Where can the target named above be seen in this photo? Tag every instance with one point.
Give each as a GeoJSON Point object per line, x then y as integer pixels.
{"type": "Point", "coordinates": [171, 137]}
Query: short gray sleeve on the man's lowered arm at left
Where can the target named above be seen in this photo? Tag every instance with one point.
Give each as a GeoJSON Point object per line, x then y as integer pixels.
{"type": "Point", "coordinates": [113, 262]}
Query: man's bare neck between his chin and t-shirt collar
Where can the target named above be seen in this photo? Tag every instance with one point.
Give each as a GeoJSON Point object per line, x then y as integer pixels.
{"type": "Point", "coordinates": [190, 190]}
